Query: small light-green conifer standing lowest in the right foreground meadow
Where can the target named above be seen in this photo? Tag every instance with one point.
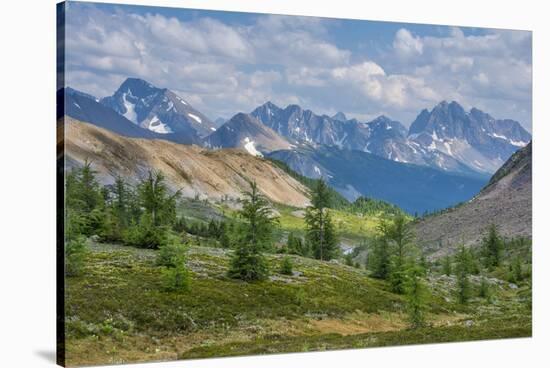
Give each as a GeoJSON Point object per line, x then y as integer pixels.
{"type": "Point", "coordinates": [416, 296]}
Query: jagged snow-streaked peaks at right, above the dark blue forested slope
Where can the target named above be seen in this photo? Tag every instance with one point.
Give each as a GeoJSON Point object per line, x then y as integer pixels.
{"type": "Point", "coordinates": [447, 137]}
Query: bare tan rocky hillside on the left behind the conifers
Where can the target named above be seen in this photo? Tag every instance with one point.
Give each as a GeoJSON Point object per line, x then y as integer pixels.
{"type": "Point", "coordinates": [194, 170]}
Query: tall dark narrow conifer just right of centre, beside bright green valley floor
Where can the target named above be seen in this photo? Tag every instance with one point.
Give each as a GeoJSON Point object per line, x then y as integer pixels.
{"type": "Point", "coordinates": [320, 232]}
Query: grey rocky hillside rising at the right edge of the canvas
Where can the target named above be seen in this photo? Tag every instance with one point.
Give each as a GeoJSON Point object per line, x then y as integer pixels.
{"type": "Point", "coordinates": [506, 201]}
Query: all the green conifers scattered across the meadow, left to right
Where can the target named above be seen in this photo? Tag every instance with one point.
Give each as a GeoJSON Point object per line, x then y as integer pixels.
{"type": "Point", "coordinates": [144, 215]}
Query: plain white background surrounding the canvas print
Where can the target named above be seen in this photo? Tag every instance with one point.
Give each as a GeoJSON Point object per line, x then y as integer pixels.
{"type": "Point", "coordinates": [27, 182]}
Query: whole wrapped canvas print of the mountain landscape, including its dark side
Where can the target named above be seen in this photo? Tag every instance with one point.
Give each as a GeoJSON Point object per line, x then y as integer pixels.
{"type": "Point", "coordinates": [240, 184]}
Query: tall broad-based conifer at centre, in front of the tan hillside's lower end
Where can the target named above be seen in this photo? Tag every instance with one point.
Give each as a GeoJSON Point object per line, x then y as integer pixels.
{"type": "Point", "coordinates": [248, 262]}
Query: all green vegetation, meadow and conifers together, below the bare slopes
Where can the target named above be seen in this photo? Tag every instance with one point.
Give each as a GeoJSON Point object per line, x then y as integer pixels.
{"type": "Point", "coordinates": [146, 281]}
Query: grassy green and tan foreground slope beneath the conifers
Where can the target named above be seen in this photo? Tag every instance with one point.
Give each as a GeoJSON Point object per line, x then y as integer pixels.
{"type": "Point", "coordinates": [117, 310]}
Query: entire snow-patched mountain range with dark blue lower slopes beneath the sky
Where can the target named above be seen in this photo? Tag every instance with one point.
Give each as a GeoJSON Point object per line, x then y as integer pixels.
{"type": "Point", "coordinates": [451, 150]}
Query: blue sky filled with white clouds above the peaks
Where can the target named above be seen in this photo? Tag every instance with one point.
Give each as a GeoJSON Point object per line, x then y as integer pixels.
{"type": "Point", "coordinates": [224, 62]}
